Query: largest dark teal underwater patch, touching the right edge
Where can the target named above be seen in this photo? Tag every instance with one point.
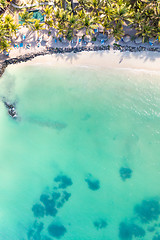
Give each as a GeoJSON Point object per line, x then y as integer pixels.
{"type": "Point", "coordinates": [148, 210]}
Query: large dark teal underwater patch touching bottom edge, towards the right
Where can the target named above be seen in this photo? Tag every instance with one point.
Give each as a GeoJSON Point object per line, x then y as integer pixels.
{"type": "Point", "coordinates": [128, 231]}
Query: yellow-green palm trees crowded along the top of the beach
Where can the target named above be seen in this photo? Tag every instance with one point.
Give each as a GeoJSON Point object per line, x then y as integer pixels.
{"type": "Point", "coordinates": [112, 15]}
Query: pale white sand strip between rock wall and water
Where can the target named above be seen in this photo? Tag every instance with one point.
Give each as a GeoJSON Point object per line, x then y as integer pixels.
{"type": "Point", "coordinates": [102, 59]}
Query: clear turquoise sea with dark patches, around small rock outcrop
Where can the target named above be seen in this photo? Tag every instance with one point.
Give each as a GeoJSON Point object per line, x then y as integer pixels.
{"type": "Point", "coordinates": [82, 161]}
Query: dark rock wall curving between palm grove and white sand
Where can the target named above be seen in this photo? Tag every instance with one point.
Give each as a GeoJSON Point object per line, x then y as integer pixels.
{"type": "Point", "coordinates": [51, 50]}
